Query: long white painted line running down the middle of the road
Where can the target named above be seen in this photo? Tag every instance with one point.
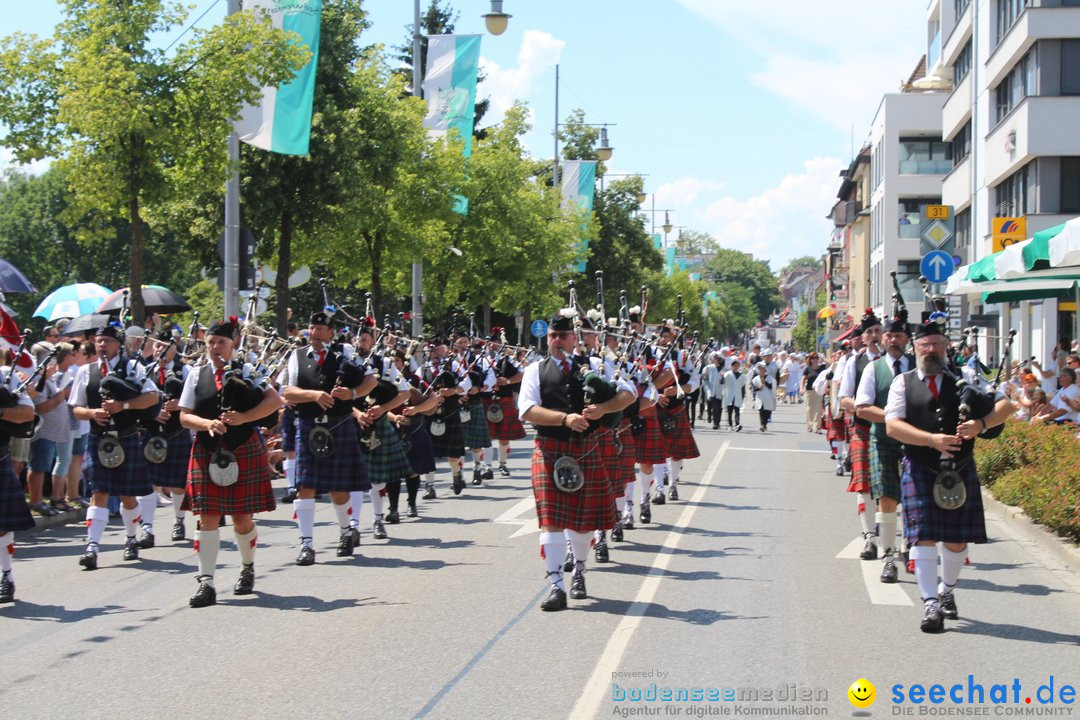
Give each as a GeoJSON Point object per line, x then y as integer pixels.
{"type": "Point", "coordinates": [597, 688]}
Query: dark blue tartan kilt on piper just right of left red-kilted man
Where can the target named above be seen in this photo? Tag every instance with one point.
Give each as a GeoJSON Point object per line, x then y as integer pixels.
{"type": "Point", "coordinates": [345, 471]}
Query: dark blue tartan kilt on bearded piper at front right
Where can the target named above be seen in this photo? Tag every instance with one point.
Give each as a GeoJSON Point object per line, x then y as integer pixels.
{"type": "Point", "coordinates": [925, 521]}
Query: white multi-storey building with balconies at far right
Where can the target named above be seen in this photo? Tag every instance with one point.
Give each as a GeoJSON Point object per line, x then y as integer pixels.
{"type": "Point", "coordinates": [1012, 120]}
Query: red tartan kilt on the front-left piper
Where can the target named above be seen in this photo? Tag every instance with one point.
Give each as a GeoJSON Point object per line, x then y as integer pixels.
{"type": "Point", "coordinates": [251, 494]}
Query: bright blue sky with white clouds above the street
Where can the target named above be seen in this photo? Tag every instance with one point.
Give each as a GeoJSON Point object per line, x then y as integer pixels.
{"type": "Point", "coordinates": [741, 115]}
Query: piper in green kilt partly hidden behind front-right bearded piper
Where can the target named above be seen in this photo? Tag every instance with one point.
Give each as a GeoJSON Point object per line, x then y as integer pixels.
{"type": "Point", "coordinates": [886, 454]}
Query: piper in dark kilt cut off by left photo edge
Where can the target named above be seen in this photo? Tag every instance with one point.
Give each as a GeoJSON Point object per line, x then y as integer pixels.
{"type": "Point", "coordinates": [15, 512]}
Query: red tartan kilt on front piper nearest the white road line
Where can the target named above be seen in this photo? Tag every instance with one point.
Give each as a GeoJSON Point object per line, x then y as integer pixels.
{"type": "Point", "coordinates": [592, 508]}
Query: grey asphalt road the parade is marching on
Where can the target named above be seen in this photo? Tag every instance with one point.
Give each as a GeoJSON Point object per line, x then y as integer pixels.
{"type": "Point", "coordinates": [750, 582]}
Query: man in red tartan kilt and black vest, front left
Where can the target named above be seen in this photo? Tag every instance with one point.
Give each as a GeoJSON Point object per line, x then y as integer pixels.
{"type": "Point", "coordinates": [206, 409]}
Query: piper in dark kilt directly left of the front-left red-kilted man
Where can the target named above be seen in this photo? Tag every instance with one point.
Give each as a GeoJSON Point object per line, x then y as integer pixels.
{"type": "Point", "coordinates": [117, 422]}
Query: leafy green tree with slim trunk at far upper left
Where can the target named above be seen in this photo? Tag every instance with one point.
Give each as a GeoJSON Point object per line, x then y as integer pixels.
{"type": "Point", "coordinates": [123, 118]}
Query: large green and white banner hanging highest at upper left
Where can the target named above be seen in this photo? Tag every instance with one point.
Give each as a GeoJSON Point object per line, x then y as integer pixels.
{"type": "Point", "coordinates": [281, 123]}
